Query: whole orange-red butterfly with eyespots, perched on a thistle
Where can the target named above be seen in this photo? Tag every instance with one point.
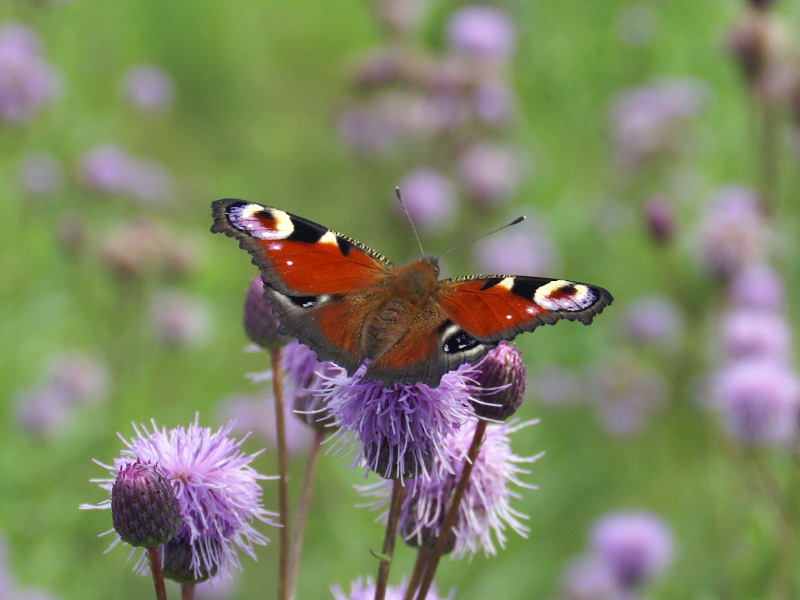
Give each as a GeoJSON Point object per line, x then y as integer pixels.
{"type": "Point", "coordinates": [349, 303]}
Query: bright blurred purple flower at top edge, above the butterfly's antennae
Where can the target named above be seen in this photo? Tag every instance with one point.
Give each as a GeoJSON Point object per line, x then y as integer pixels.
{"type": "Point", "coordinates": [482, 32]}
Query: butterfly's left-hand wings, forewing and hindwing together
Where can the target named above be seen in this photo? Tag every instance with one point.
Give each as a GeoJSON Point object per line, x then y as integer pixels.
{"type": "Point", "coordinates": [320, 282]}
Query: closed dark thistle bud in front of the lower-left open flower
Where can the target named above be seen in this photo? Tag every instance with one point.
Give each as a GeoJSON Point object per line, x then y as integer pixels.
{"type": "Point", "coordinates": [144, 508]}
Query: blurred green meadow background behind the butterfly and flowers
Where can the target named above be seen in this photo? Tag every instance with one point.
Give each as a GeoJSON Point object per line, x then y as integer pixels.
{"type": "Point", "coordinates": [259, 86]}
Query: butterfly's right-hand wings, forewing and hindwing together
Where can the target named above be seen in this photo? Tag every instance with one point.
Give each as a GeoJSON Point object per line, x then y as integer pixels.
{"type": "Point", "coordinates": [470, 315]}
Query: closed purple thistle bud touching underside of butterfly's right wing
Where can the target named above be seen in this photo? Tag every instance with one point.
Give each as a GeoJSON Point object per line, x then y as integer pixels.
{"type": "Point", "coordinates": [500, 382]}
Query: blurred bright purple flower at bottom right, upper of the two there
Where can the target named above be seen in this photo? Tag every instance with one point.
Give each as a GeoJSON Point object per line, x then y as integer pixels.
{"type": "Point", "coordinates": [637, 546]}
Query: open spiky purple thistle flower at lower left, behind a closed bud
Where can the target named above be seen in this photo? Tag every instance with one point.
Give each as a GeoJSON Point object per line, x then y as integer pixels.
{"type": "Point", "coordinates": [217, 491]}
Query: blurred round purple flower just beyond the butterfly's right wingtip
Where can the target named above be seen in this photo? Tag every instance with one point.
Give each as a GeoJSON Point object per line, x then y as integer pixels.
{"type": "Point", "coordinates": [654, 320]}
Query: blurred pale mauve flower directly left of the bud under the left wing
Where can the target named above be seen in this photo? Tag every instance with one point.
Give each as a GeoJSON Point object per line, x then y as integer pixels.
{"type": "Point", "coordinates": [180, 320]}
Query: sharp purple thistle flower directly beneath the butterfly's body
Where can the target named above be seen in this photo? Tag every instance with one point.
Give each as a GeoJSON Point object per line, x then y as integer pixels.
{"type": "Point", "coordinates": [399, 429]}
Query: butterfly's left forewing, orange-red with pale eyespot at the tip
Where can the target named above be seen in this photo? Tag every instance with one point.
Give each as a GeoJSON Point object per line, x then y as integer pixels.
{"type": "Point", "coordinates": [298, 257]}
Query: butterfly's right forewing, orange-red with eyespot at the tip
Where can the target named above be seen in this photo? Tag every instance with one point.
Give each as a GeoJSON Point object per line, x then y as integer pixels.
{"type": "Point", "coordinates": [494, 308]}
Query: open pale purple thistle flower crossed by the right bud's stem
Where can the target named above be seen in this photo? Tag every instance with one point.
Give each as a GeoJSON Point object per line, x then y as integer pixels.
{"type": "Point", "coordinates": [485, 512]}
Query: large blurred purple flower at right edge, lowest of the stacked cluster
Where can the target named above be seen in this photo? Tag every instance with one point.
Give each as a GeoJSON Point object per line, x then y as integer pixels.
{"type": "Point", "coordinates": [759, 401]}
